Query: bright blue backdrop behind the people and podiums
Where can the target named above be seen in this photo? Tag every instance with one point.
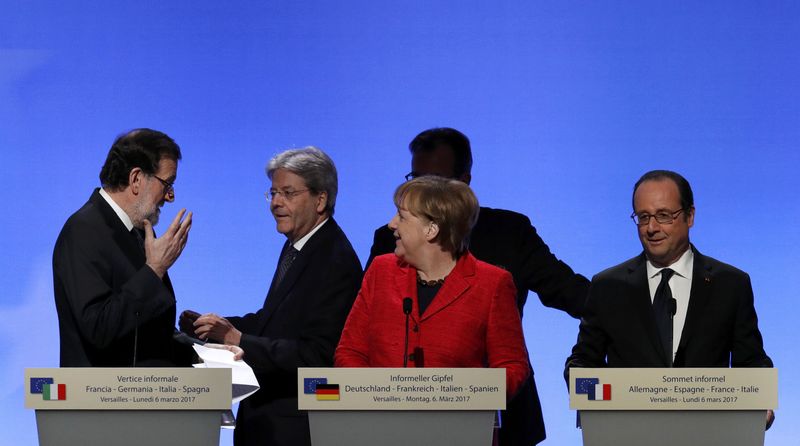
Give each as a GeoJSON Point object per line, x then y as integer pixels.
{"type": "Point", "coordinates": [566, 103]}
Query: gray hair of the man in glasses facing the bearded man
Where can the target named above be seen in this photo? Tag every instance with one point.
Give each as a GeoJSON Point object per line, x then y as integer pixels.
{"type": "Point", "coordinates": [315, 168]}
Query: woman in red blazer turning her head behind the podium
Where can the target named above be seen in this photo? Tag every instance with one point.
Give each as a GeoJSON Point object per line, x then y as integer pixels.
{"type": "Point", "coordinates": [463, 310]}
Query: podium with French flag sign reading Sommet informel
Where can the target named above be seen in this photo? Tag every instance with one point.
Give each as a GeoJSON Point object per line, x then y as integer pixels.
{"type": "Point", "coordinates": [673, 406]}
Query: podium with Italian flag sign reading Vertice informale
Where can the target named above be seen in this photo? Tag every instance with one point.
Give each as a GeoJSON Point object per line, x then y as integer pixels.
{"type": "Point", "coordinates": [128, 406]}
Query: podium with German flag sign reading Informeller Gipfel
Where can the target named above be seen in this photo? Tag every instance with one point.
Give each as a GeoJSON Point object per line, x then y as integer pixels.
{"type": "Point", "coordinates": [401, 407]}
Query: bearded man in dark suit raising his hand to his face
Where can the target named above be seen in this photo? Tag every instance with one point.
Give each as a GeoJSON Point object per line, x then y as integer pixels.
{"type": "Point", "coordinates": [115, 302]}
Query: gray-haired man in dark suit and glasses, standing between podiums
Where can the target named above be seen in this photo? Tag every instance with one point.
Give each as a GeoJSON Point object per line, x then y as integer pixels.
{"type": "Point", "coordinates": [301, 320]}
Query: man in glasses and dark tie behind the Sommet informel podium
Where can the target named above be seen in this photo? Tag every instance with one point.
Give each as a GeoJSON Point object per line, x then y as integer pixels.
{"type": "Point", "coordinates": [670, 306]}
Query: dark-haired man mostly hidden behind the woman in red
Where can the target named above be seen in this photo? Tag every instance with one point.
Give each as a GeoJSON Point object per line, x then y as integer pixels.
{"type": "Point", "coordinates": [506, 239]}
